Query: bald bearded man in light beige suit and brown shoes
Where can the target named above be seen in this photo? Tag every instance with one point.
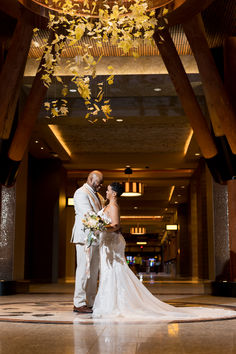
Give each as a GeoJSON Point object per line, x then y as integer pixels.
{"type": "Point", "coordinates": [86, 199]}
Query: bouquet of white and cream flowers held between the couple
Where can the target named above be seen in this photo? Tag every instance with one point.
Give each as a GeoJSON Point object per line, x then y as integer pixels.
{"type": "Point", "coordinates": [94, 222]}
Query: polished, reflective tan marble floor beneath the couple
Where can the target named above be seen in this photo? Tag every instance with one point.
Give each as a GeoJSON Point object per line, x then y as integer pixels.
{"type": "Point", "coordinates": [26, 328]}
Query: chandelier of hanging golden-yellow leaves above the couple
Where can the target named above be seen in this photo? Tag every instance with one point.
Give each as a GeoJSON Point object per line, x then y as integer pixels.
{"type": "Point", "coordinates": [127, 24]}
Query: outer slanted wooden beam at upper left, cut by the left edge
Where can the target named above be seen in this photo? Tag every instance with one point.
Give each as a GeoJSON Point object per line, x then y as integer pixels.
{"type": "Point", "coordinates": [13, 70]}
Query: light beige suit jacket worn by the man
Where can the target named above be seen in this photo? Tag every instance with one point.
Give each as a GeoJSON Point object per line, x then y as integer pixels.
{"type": "Point", "coordinates": [84, 200]}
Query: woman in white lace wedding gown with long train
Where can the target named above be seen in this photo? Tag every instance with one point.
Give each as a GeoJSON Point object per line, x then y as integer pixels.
{"type": "Point", "coordinates": [120, 294]}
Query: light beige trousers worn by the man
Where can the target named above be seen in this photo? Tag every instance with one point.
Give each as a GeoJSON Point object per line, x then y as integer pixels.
{"type": "Point", "coordinates": [86, 288]}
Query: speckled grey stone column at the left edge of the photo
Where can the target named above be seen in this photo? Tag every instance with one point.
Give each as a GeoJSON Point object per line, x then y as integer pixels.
{"type": "Point", "coordinates": [7, 235]}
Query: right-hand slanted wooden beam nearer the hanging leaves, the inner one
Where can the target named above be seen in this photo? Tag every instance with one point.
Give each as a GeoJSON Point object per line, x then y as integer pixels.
{"type": "Point", "coordinates": [185, 92]}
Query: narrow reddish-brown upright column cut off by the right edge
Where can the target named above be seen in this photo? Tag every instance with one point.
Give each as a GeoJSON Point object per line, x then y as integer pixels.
{"type": "Point", "coordinates": [232, 227]}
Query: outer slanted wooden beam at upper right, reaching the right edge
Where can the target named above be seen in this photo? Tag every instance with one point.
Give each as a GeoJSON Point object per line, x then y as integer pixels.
{"type": "Point", "coordinates": [216, 97]}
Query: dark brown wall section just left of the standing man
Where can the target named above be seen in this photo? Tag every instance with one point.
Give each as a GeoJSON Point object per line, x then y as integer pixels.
{"type": "Point", "coordinates": [45, 234]}
